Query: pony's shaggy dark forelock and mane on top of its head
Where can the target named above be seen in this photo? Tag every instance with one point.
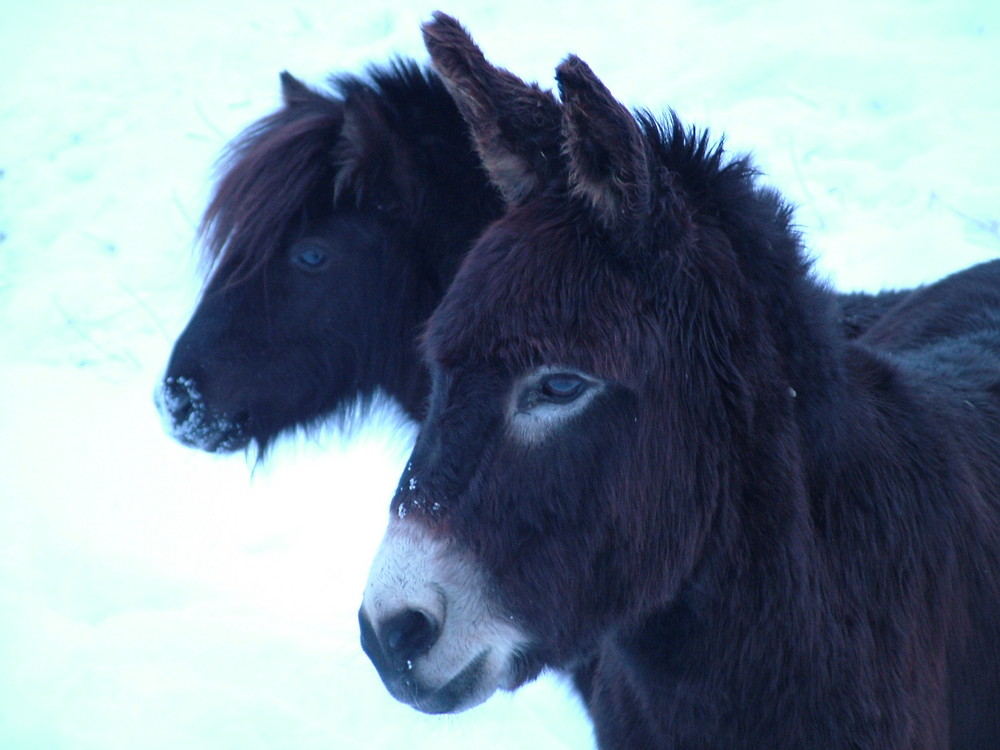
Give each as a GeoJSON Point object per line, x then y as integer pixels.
{"type": "Point", "coordinates": [283, 167]}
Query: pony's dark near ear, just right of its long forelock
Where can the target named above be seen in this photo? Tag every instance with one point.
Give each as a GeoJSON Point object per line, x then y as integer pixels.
{"type": "Point", "coordinates": [374, 164]}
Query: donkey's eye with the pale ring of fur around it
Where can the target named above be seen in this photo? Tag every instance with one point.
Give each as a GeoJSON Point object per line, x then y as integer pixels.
{"type": "Point", "coordinates": [547, 398]}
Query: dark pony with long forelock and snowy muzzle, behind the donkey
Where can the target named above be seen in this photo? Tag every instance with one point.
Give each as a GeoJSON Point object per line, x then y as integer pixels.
{"type": "Point", "coordinates": [337, 225]}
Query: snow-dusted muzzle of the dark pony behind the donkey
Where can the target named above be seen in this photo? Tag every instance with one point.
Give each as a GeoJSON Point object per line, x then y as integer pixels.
{"type": "Point", "coordinates": [188, 419]}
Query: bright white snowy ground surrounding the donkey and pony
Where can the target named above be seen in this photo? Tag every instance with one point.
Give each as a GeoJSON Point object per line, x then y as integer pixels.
{"type": "Point", "coordinates": [152, 597]}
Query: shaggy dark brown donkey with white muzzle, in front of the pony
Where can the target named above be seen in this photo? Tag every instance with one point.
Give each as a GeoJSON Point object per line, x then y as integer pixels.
{"type": "Point", "coordinates": [652, 456]}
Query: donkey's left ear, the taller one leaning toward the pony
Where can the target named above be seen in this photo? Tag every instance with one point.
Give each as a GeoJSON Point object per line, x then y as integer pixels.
{"type": "Point", "coordinates": [515, 126]}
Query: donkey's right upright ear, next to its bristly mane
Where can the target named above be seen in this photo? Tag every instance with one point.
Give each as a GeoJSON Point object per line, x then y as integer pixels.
{"type": "Point", "coordinates": [604, 147]}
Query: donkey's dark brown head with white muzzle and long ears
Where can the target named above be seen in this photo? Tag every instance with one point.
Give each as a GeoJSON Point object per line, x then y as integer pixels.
{"type": "Point", "coordinates": [591, 400]}
